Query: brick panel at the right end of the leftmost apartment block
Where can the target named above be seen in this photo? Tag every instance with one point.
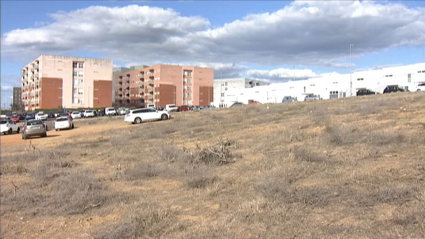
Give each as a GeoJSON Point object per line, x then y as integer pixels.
{"type": "Point", "coordinates": [101, 94]}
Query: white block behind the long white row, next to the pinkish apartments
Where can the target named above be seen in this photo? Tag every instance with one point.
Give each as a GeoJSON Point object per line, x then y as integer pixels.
{"type": "Point", "coordinates": [222, 86]}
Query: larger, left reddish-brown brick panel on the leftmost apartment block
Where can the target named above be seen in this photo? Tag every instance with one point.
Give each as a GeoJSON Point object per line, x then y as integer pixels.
{"type": "Point", "coordinates": [50, 93]}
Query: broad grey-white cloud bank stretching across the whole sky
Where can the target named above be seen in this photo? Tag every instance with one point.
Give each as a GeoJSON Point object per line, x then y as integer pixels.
{"type": "Point", "coordinates": [305, 33]}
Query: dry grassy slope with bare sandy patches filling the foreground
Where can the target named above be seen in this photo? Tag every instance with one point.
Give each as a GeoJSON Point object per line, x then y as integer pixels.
{"type": "Point", "coordinates": [342, 168]}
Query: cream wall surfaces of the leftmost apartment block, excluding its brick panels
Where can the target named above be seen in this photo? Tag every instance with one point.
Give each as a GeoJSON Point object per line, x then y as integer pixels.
{"type": "Point", "coordinates": [77, 82]}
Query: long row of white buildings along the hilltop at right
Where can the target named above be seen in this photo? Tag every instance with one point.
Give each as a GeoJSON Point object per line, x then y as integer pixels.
{"type": "Point", "coordinates": [327, 87]}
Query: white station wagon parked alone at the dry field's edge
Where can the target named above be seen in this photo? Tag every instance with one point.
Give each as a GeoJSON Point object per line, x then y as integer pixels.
{"type": "Point", "coordinates": [138, 116]}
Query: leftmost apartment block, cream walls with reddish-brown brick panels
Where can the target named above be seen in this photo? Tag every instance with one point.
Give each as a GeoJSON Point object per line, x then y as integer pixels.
{"type": "Point", "coordinates": [71, 82]}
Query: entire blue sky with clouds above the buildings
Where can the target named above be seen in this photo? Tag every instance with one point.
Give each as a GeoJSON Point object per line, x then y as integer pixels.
{"type": "Point", "coordinates": [272, 40]}
